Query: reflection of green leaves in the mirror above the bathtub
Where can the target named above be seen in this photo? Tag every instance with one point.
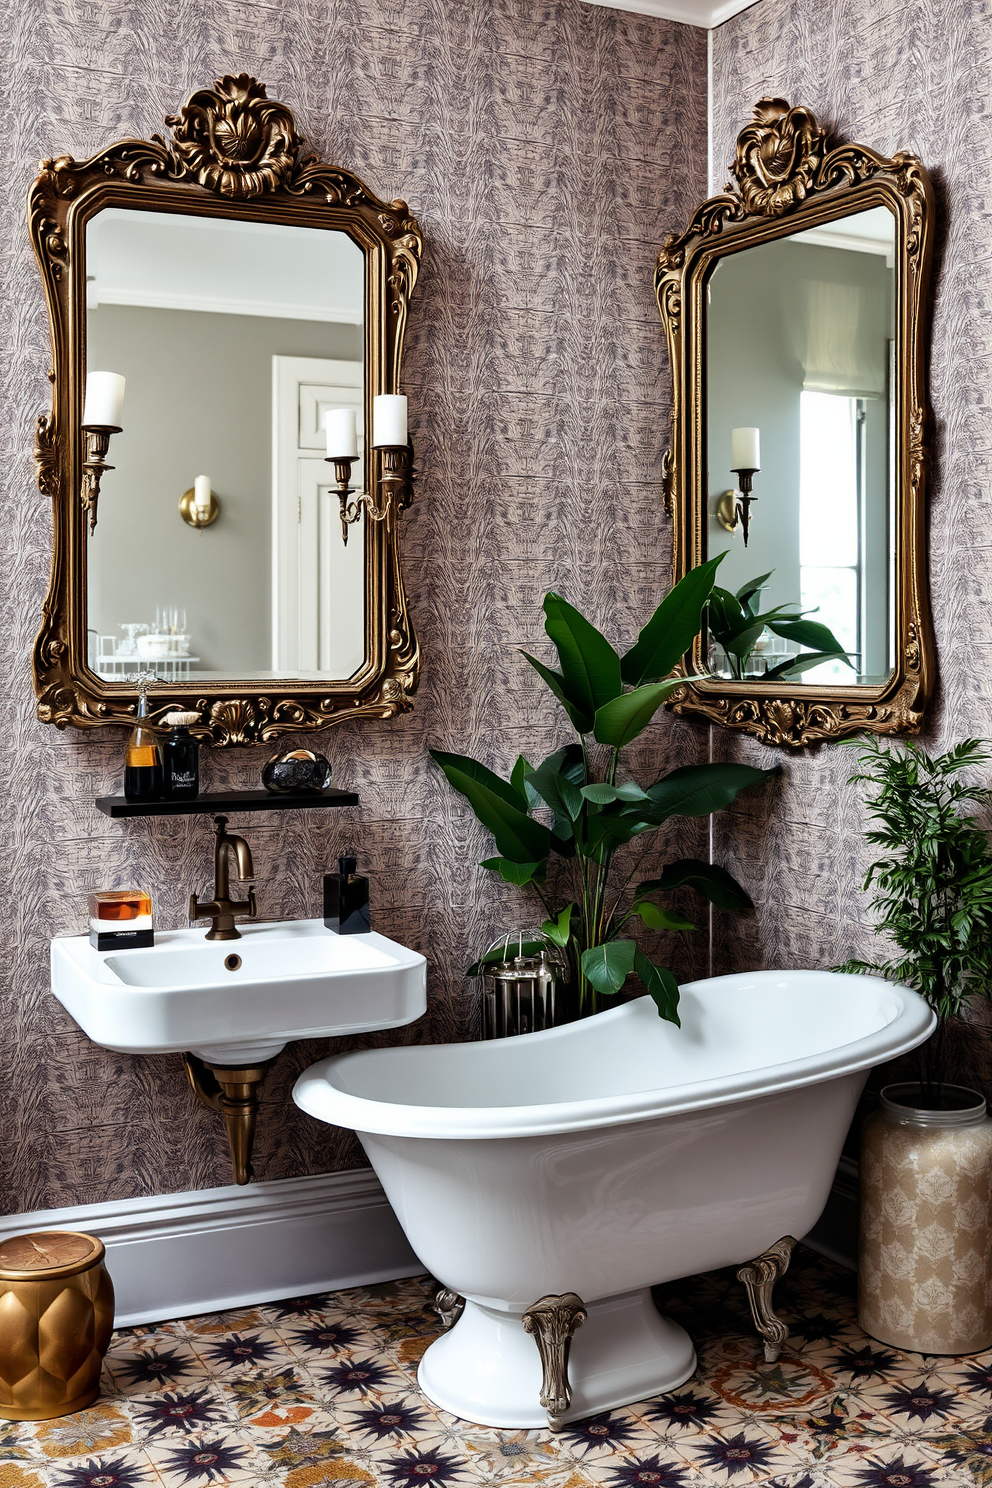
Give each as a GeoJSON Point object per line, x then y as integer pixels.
{"type": "Point", "coordinates": [737, 624]}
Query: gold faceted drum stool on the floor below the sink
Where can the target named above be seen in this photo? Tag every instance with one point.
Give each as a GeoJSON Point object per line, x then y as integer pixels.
{"type": "Point", "coordinates": [56, 1324]}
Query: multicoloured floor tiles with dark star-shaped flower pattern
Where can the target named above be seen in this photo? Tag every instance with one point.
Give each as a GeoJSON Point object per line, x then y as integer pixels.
{"type": "Point", "coordinates": [322, 1394]}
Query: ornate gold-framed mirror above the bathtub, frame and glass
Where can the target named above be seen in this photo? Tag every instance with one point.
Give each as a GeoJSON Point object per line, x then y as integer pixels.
{"type": "Point", "coordinates": [796, 313]}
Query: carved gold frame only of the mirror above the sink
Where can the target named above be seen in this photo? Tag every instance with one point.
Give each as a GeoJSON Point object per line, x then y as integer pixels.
{"type": "Point", "coordinates": [234, 154]}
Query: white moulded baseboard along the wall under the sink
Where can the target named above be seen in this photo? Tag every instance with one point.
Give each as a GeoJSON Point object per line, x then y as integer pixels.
{"type": "Point", "coordinates": [175, 1255]}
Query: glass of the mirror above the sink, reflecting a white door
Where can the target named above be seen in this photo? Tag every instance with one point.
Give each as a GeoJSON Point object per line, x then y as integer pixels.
{"type": "Point", "coordinates": [234, 339]}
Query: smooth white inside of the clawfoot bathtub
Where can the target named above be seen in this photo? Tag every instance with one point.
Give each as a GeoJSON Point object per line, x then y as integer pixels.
{"type": "Point", "coordinates": [731, 1026]}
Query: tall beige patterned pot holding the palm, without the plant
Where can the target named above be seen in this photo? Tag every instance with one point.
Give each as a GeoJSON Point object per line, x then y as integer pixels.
{"type": "Point", "coordinates": [926, 1254]}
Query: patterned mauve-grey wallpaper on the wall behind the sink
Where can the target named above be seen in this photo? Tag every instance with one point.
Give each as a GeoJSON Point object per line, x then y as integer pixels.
{"type": "Point", "coordinates": [547, 148]}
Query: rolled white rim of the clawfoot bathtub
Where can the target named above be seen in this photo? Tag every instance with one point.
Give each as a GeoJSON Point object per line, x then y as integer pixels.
{"type": "Point", "coordinates": [321, 1097]}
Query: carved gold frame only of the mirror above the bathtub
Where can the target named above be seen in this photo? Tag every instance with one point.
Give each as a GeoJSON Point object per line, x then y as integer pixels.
{"type": "Point", "coordinates": [788, 181]}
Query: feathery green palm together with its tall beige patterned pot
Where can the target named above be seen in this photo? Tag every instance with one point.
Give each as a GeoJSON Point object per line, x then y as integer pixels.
{"type": "Point", "coordinates": [927, 1152]}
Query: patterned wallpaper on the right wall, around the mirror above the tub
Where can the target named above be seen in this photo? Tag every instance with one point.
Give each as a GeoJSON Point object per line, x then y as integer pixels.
{"type": "Point", "coordinates": [915, 78]}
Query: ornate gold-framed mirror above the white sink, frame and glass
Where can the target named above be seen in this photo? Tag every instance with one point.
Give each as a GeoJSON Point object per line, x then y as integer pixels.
{"type": "Point", "coordinates": [236, 291]}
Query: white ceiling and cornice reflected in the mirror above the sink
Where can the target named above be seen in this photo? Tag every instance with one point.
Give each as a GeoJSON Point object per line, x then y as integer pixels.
{"type": "Point", "coordinates": [169, 261]}
